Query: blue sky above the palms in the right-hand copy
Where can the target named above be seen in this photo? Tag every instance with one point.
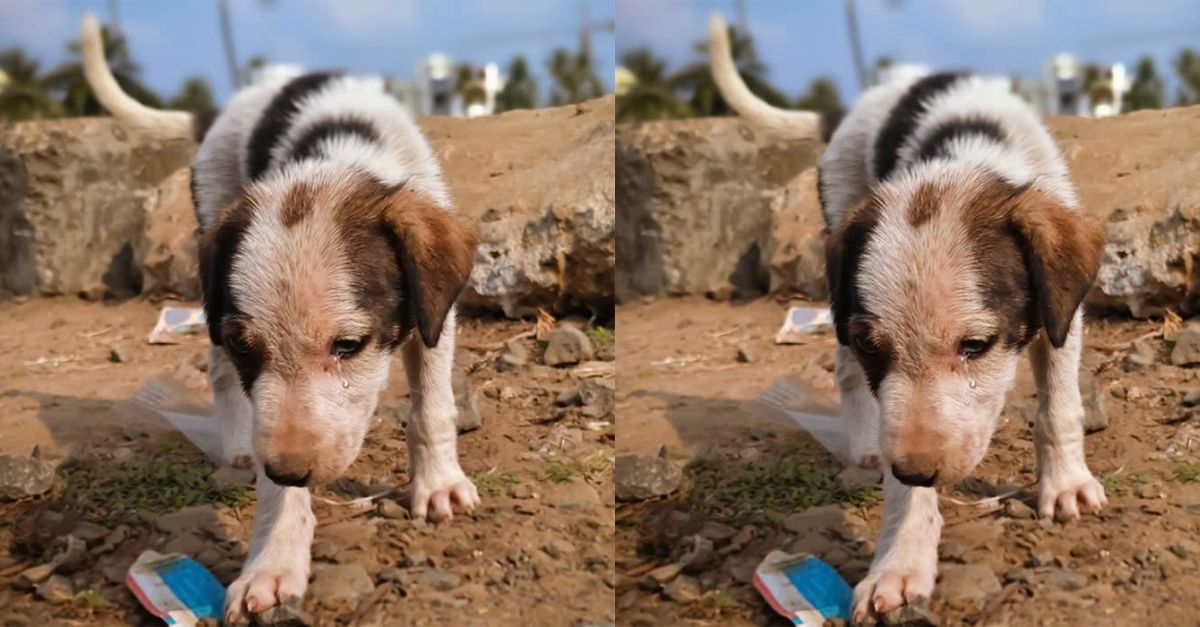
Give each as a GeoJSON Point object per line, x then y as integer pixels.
{"type": "Point", "coordinates": [801, 40]}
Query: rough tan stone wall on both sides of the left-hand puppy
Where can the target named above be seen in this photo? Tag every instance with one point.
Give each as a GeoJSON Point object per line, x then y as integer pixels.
{"type": "Point", "coordinates": [85, 208]}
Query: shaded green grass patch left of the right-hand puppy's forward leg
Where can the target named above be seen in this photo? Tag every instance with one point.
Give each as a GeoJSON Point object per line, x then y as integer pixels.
{"type": "Point", "coordinates": [764, 492]}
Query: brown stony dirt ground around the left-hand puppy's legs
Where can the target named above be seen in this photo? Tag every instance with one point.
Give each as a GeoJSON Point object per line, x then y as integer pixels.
{"type": "Point", "coordinates": [545, 530]}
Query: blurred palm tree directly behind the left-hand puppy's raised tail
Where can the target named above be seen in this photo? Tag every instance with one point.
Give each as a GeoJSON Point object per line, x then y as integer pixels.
{"type": "Point", "coordinates": [76, 95]}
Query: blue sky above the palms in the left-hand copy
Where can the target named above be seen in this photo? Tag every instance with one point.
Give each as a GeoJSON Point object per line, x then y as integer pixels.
{"type": "Point", "coordinates": [177, 39]}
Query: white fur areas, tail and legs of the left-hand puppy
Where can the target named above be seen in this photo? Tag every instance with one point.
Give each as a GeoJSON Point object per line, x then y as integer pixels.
{"type": "Point", "coordinates": [291, 282]}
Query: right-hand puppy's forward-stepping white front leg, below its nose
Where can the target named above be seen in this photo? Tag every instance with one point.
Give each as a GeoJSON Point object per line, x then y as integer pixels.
{"type": "Point", "coordinates": [905, 566]}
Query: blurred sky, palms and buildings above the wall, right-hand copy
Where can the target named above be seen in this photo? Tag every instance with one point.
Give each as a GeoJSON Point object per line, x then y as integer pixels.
{"type": "Point", "coordinates": [1088, 58]}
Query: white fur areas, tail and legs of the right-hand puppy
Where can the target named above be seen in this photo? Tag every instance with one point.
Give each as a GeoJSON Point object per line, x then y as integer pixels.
{"type": "Point", "coordinates": [959, 402]}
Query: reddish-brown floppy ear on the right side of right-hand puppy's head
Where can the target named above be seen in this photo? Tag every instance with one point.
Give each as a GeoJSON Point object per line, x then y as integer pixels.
{"type": "Point", "coordinates": [1063, 250]}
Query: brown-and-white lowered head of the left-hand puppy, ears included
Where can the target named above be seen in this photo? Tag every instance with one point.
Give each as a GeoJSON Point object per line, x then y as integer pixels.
{"type": "Point", "coordinates": [309, 288]}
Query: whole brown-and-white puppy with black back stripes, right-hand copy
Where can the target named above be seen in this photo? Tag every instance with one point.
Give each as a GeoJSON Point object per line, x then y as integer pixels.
{"type": "Point", "coordinates": [955, 242]}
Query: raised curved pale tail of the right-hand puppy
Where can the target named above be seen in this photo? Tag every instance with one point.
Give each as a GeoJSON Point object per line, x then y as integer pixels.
{"type": "Point", "coordinates": [742, 100]}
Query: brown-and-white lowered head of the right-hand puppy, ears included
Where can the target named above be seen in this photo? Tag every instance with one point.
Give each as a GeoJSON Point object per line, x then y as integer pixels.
{"type": "Point", "coordinates": [937, 289]}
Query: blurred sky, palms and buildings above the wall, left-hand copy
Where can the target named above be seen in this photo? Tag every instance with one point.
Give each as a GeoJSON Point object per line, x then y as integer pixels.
{"type": "Point", "coordinates": [465, 58]}
